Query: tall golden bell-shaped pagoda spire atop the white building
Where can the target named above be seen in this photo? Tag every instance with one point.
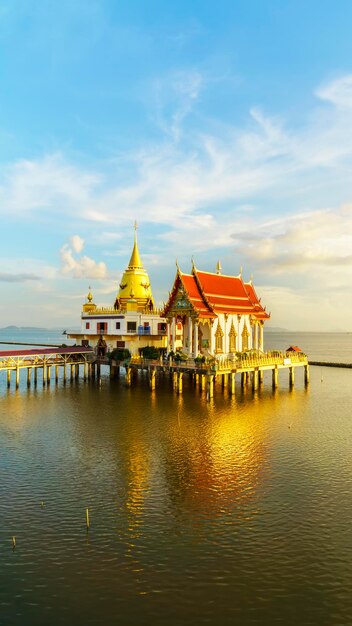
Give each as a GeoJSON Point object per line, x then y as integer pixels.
{"type": "Point", "coordinates": [135, 293]}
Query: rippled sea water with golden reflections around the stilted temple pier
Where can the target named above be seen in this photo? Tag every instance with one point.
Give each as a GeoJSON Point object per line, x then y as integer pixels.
{"type": "Point", "coordinates": [234, 511]}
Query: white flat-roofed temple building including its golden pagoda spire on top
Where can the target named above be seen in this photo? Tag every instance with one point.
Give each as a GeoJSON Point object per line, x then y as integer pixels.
{"type": "Point", "coordinates": [132, 322]}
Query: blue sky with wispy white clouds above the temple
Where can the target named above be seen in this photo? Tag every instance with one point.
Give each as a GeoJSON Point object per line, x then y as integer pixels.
{"type": "Point", "coordinates": [224, 128]}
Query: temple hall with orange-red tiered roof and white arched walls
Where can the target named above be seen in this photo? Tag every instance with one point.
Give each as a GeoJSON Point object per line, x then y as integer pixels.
{"type": "Point", "coordinates": [214, 315]}
